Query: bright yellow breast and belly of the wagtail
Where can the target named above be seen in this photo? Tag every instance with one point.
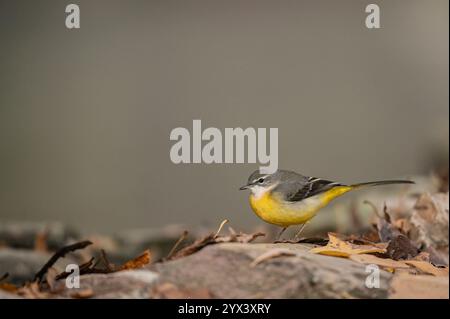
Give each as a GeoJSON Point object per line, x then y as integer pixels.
{"type": "Point", "coordinates": [278, 212]}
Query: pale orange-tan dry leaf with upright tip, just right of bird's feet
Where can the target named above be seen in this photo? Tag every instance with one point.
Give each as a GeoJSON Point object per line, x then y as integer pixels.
{"type": "Point", "coordinates": [339, 248]}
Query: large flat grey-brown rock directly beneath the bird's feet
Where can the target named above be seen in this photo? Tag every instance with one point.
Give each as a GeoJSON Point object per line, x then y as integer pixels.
{"type": "Point", "coordinates": [226, 271]}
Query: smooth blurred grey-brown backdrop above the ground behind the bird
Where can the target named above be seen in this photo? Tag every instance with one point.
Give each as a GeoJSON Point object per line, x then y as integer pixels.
{"type": "Point", "coordinates": [85, 115]}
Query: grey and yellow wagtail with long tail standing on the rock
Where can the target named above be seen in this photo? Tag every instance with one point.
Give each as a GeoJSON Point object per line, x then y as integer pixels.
{"type": "Point", "coordinates": [286, 198]}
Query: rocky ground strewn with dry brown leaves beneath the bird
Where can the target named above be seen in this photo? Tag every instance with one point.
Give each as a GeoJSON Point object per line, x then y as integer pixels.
{"type": "Point", "coordinates": [403, 255]}
